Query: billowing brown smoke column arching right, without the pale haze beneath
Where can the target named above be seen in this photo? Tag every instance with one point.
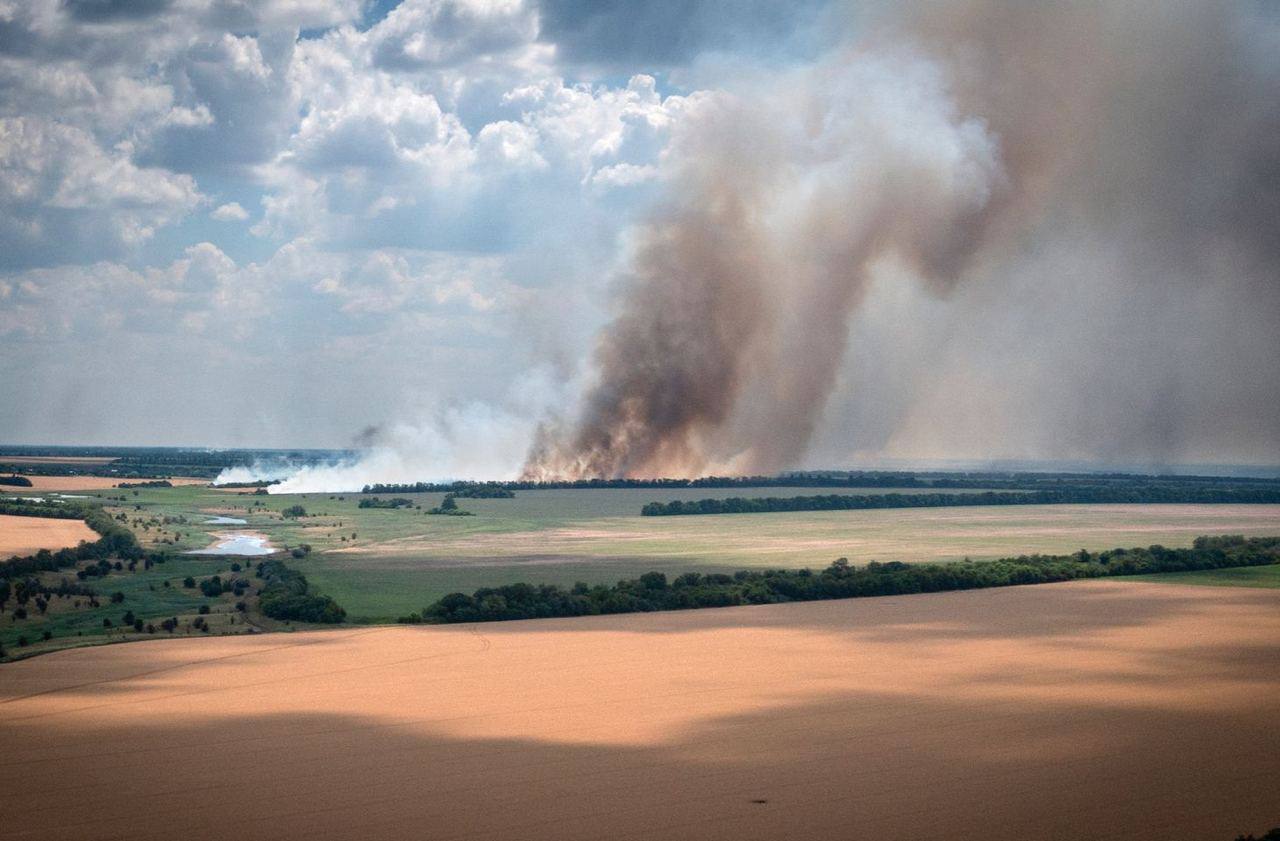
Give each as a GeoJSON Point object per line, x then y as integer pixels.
{"type": "Point", "coordinates": [944, 147]}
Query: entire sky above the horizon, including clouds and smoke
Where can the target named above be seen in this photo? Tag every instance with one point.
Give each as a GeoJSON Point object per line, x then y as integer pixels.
{"type": "Point", "coordinates": [424, 226]}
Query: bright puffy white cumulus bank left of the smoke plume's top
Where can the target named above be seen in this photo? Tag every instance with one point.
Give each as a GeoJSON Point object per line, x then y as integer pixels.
{"type": "Point", "coordinates": [388, 153]}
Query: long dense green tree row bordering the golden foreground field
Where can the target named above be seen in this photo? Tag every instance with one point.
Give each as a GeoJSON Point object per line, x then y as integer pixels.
{"type": "Point", "coordinates": [842, 581]}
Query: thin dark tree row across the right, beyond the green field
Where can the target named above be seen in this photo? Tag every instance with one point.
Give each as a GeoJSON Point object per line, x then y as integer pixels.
{"type": "Point", "coordinates": [1150, 495]}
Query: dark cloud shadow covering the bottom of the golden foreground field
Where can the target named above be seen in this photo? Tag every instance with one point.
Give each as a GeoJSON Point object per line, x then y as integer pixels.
{"type": "Point", "coordinates": [857, 765]}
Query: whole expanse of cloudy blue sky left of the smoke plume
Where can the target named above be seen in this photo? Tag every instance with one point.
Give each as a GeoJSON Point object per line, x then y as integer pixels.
{"type": "Point", "coordinates": [422, 181]}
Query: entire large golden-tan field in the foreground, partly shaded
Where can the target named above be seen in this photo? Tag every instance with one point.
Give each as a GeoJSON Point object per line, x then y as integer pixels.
{"type": "Point", "coordinates": [1096, 710]}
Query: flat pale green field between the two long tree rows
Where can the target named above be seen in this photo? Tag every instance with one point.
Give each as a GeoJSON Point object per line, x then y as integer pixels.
{"type": "Point", "coordinates": [382, 564]}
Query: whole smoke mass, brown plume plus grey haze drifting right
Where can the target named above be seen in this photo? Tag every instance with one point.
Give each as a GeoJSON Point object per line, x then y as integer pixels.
{"type": "Point", "coordinates": [1109, 175]}
